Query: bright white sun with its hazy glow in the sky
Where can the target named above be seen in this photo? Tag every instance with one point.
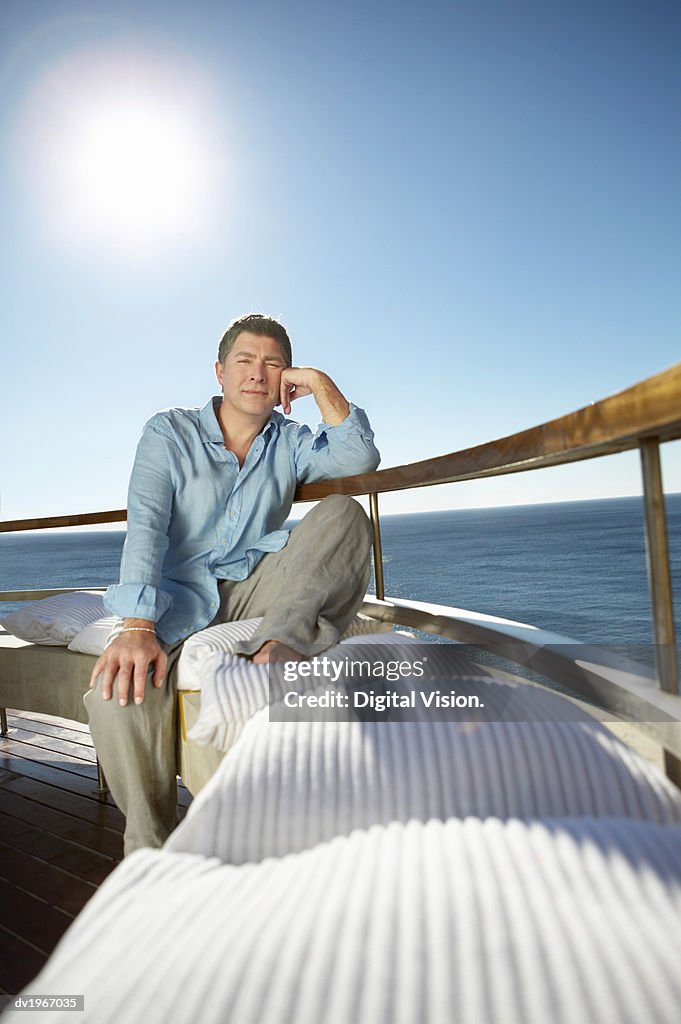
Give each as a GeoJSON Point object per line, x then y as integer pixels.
{"type": "Point", "coordinates": [121, 154]}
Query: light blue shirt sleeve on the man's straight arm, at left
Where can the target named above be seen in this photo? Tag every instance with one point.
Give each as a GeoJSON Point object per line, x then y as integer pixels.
{"type": "Point", "coordinates": [139, 595]}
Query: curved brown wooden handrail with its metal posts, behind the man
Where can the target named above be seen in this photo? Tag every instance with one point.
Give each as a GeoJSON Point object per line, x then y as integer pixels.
{"type": "Point", "coordinates": [642, 417]}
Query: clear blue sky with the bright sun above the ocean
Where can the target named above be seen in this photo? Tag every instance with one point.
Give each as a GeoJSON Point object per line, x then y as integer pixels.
{"type": "Point", "coordinates": [467, 214]}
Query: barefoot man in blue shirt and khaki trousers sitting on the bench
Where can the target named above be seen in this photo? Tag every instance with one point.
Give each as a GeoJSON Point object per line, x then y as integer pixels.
{"type": "Point", "coordinates": [209, 493]}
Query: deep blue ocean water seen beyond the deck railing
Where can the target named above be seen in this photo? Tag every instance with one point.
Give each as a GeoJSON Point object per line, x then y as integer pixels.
{"type": "Point", "coordinates": [578, 569]}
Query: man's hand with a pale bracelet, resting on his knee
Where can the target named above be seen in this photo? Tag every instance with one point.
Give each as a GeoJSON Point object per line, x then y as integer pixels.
{"type": "Point", "coordinates": [130, 658]}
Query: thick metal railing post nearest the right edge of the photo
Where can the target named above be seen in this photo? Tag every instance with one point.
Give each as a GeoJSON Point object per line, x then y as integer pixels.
{"type": "Point", "coordinates": [660, 580]}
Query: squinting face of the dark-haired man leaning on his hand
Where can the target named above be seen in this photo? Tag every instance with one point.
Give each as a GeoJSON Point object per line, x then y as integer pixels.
{"type": "Point", "coordinates": [250, 375]}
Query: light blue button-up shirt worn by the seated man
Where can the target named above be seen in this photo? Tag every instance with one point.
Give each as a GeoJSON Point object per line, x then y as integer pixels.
{"type": "Point", "coordinates": [196, 518]}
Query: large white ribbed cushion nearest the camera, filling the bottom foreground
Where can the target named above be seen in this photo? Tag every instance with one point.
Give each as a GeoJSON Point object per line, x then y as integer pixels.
{"type": "Point", "coordinates": [474, 922]}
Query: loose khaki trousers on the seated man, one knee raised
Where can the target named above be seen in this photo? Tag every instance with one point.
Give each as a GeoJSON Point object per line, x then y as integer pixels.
{"type": "Point", "coordinates": [308, 594]}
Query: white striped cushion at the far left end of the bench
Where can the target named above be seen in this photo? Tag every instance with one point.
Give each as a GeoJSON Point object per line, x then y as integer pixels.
{"type": "Point", "coordinates": [55, 621]}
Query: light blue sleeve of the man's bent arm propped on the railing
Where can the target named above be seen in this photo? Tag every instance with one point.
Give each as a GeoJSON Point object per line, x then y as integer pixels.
{"type": "Point", "coordinates": [337, 451]}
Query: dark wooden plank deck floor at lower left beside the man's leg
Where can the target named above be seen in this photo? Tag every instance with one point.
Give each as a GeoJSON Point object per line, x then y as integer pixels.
{"type": "Point", "coordinates": [59, 838]}
